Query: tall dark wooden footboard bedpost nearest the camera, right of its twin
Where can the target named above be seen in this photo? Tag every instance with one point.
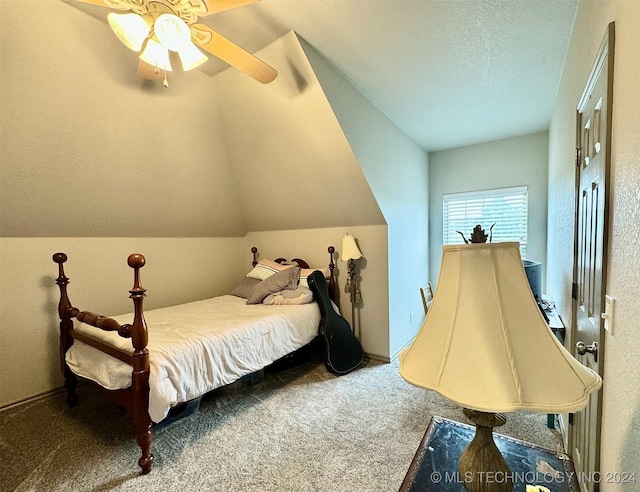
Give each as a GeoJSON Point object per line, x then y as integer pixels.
{"type": "Point", "coordinates": [140, 375]}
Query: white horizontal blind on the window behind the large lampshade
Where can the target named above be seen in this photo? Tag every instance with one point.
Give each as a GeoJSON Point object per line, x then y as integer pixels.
{"type": "Point", "coordinates": [507, 208]}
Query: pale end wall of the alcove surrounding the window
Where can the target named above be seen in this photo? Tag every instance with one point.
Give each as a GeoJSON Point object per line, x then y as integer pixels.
{"type": "Point", "coordinates": [514, 161]}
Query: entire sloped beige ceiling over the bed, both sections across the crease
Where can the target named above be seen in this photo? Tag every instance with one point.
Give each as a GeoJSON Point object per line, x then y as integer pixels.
{"type": "Point", "coordinates": [89, 150]}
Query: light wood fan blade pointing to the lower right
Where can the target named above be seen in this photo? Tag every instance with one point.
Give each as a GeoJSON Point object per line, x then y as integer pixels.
{"type": "Point", "coordinates": [218, 45]}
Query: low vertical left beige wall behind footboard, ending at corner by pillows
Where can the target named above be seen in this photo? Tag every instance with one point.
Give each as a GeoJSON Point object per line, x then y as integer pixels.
{"type": "Point", "coordinates": [177, 270]}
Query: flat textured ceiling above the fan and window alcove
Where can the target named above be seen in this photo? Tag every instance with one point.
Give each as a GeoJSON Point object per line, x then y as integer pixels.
{"type": "Point", "coordinates": [448, 73]}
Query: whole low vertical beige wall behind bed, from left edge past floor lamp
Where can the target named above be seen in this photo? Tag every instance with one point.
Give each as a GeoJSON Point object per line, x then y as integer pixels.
{"type": "Point", "coordinates": [177, 270]}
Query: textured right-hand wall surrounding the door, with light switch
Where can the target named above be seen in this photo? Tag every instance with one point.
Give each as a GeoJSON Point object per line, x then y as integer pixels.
{"type": "Point", "coordinates": [620, 438]}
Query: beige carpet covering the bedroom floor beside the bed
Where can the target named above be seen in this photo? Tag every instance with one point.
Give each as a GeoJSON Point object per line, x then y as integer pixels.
{"type": "Point", "coordinates": [299, 430]}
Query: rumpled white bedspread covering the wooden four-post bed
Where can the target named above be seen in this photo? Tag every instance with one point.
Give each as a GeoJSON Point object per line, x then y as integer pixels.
{"type": "Point", "coordinates": [199, 346]}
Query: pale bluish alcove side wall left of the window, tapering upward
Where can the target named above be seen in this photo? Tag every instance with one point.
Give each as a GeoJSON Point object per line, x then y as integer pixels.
{"type": "Point", "coordinates": [397, 170]}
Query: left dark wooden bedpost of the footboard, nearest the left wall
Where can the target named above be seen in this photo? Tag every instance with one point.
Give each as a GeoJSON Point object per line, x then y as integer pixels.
{"type": "Point", "coordinates": [66, 313]}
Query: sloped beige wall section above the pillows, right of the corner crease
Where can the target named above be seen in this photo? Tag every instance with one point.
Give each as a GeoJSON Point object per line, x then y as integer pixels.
{"type": "Point", "coordinates": [293, 166]}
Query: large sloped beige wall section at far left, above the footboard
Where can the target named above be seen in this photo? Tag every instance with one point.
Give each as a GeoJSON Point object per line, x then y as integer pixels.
{"type": "Point", "coordinates": [89, 150]}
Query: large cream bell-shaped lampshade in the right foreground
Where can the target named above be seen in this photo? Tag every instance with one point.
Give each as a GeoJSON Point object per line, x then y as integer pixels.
{"type": "Point", "coordinates": [484, 343]}
